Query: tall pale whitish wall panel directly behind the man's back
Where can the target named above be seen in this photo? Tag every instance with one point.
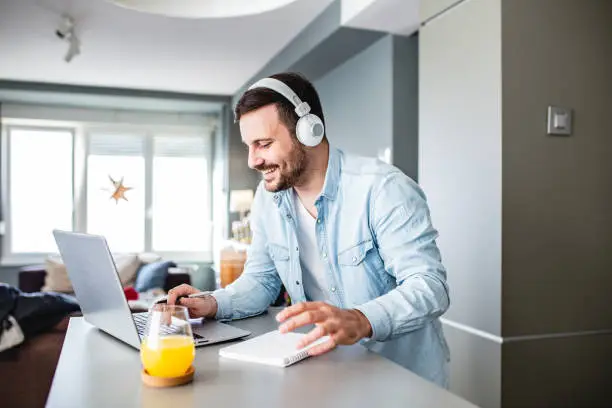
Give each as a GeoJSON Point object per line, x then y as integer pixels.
{"type": "Point", "coordinates": [460, 169]}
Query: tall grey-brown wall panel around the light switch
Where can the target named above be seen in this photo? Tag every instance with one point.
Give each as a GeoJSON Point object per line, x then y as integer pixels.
{"type": "Point", "coordinates": [557, 191]}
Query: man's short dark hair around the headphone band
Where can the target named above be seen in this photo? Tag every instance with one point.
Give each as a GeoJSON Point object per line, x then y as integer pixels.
{"type": "Point", "coordinates": [260, 97]}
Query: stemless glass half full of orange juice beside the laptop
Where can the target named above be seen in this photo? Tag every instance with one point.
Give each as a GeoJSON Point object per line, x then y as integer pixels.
{"type": "Point", "coordinates": [167, 348]}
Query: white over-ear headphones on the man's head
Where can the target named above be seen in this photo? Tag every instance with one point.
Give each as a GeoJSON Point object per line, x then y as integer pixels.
{"type": "Point", "coordinates": [309, 128]}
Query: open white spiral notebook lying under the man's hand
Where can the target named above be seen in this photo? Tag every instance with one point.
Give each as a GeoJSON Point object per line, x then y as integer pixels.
{"type": "Point", "coordinates": [273, 348]}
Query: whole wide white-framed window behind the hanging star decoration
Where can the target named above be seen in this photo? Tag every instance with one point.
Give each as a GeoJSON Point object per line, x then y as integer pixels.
{"type": "Point", "coordinates": [62, 177]}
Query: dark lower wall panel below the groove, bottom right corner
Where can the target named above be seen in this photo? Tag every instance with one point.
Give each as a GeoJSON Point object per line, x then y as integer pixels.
{"type": "Point", "coordinates": [563, 372]}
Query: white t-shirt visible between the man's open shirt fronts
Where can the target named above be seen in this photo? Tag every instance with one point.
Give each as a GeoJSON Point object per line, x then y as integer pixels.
{"type": "Point", "coordinates": [313, 269]}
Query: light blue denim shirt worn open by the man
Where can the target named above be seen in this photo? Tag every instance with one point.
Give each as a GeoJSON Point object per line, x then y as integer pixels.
{"type": "Point", "coordinates": [378, 245]}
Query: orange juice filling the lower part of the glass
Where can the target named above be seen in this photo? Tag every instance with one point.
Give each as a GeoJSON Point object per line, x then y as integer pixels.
{"type": "Point", "coordinates": [169, 356]}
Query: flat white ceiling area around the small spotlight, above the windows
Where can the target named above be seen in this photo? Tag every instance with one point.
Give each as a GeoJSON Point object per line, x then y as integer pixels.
{"type": "Point", "coordinates": [123, 48]}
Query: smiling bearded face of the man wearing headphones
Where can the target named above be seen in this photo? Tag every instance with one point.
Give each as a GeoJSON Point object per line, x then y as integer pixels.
{"type": "Point", "coordinates": [273, 151]}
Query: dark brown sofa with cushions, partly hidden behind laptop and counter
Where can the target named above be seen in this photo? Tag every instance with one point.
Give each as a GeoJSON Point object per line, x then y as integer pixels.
{"type": "Point", "coordinates": [27, 370]}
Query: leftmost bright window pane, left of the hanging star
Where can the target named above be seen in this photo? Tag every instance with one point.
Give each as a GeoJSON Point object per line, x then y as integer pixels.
{"type": "Point", "coordinates": [39, 187]}
